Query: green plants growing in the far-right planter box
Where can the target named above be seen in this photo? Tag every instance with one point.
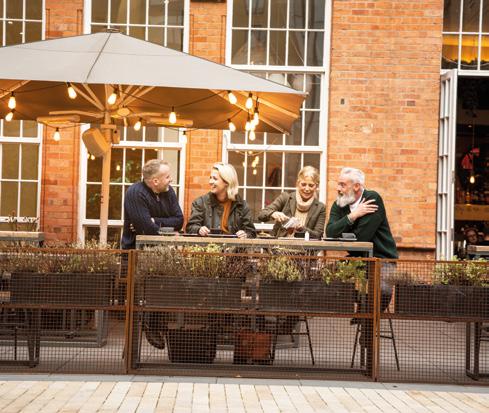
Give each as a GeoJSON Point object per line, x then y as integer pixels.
{"type": "Point", "coordinates": [469, 273]}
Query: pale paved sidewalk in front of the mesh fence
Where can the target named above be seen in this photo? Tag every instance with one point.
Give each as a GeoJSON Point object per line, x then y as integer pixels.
{"type": "Point", "coordinates": [72, 393]}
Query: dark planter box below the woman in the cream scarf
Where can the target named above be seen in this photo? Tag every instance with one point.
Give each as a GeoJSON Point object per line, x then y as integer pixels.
{"type": "Point", "coordinates": [307, 296]}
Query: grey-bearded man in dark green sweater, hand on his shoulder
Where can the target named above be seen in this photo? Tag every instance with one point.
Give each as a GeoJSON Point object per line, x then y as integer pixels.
{"type": "Point", "coordinates": [362, 212]}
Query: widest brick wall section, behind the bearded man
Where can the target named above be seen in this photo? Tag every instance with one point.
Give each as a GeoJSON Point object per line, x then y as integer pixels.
{"type": "Point", "coordinates": [385, 71]}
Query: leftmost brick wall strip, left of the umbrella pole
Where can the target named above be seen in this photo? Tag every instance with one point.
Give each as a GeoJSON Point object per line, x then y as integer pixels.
{"type": "Point", "coordinates": [59, 182]}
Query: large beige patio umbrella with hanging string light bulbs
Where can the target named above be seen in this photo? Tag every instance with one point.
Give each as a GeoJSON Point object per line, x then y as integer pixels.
{"type": "Point", "coordinates": [147, 83]}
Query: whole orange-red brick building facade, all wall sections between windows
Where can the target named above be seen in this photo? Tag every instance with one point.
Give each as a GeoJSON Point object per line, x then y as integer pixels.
{"type": "Point", "coordinates": [381, 101]}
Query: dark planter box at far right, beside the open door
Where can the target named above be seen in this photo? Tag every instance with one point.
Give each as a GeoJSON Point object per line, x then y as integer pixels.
{"type": "Point", "coordinates": [442, 300]}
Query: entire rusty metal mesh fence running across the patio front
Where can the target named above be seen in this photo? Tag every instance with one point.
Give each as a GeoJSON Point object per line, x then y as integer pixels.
{"type": "Point", "coordinates": [220, 311]}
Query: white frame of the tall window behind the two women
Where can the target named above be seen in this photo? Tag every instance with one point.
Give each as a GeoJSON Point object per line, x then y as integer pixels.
{"type": "Point", "coordinates": [324, 71]}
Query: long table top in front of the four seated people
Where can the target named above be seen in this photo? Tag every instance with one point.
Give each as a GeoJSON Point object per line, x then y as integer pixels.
{"type": "Point", "coordinates": [366, 247]}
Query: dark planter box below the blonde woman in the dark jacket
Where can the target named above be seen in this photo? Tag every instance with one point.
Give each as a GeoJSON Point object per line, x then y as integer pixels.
{"type": "Point", "coordinates": [192, 292]}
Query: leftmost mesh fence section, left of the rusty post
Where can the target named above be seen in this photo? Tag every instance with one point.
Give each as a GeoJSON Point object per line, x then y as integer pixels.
{"type": "Point", "coordinates": [59, 311]}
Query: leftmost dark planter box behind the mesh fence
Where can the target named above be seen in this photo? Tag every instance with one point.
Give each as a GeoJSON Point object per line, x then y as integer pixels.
{"type": "Point", "coordinates": [90, 289]}
